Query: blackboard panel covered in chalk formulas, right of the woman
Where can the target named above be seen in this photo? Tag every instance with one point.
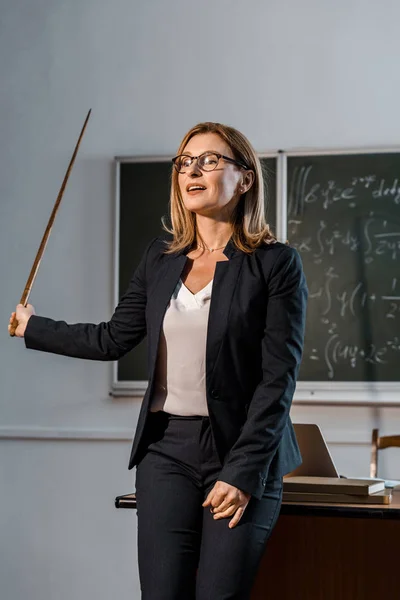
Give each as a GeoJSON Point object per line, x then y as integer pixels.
{"type": "Point", "coordinates": [344, 218]}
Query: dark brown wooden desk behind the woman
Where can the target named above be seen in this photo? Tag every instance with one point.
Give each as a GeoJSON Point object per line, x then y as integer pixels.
{"type": "Point", "coordinates": [329, 552]}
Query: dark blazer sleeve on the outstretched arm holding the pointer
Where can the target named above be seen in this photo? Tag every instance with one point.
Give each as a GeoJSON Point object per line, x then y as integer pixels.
{"type": "Point", "coordinates": [103, 341]}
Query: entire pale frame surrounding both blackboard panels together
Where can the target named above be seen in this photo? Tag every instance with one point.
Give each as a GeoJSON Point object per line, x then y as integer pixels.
{"type": "Point", "coordinates": [307, 392]}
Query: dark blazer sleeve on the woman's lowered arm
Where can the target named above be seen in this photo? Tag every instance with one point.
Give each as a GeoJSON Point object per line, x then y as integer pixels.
{"type": "Point", "coordinates": [247, 464]}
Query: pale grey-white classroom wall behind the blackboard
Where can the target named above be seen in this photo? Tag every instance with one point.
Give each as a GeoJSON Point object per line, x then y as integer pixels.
{"type": "Point", "coordinates": [288, 74]}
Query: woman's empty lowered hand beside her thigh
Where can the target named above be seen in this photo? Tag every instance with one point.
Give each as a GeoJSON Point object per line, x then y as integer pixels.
{"type": "Point", "coordinates": [227, 500]}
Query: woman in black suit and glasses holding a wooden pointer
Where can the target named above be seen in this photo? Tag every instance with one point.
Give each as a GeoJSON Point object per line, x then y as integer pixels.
{"type": "Point", "coordinates": [223, 306]}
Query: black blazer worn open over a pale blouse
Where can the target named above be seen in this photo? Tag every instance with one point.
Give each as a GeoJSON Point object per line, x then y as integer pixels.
{"type": "Point", "coordinates": [254, 346]}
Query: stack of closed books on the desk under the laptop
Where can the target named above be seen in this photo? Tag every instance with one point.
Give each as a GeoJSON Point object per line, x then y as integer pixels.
{"type": "Point", "coordinates": [335, 490]}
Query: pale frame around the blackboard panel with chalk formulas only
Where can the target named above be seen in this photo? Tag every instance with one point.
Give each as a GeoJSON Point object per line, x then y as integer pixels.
{"type": "Point", "coordinates": [345, 393]}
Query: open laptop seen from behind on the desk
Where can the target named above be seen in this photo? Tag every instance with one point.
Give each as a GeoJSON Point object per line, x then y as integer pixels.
{"type": "Point", "coordinates": [317, 460]}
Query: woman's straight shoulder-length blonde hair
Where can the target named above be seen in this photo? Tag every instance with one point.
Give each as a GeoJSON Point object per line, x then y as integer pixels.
{"type": "Point", "coordinates": [249, 227]}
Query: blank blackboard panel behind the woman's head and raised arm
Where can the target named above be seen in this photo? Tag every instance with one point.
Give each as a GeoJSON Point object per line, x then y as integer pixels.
{"type": "Point", "coordinates": [143, 187]}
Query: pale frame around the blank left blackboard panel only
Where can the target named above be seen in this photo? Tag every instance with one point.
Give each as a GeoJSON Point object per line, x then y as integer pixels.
{"type": "Point", "coordinates": [138, 387]}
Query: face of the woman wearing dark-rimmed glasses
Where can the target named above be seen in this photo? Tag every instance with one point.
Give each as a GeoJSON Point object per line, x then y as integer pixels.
{"type": "Point", "coordinates": [220, 187]}
